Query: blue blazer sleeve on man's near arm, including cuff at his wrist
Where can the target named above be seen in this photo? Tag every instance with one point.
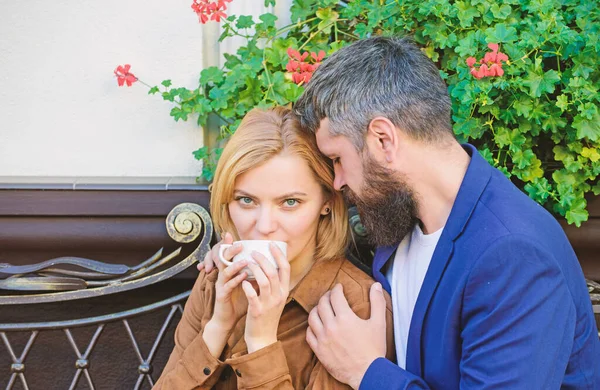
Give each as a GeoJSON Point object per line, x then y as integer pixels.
{"type": "Point", "coordinates": [518, 323]}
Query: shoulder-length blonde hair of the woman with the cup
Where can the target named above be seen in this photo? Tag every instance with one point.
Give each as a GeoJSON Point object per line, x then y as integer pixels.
{"type": "Point", "coordinates": [261, 136]}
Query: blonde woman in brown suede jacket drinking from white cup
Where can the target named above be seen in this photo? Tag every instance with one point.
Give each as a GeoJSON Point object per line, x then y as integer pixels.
{"type": "Point", "coordinates": [271, 183]}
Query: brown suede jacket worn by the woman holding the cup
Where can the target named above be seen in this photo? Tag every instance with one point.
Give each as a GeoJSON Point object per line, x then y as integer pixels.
{"type": "Point", "coordinates": [287, 364]}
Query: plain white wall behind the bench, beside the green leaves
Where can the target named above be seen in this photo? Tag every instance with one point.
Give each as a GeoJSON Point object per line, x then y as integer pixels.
{"type": "Point", "coordinates": [61, 112]}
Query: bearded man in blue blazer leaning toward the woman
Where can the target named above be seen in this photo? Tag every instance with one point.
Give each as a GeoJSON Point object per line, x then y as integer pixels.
{"type": "Point", "coordinates": [487, 291]}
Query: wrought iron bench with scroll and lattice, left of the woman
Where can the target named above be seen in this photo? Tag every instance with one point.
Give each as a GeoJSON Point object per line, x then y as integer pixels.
{"type": "Point", "coordinates": [66, 281]}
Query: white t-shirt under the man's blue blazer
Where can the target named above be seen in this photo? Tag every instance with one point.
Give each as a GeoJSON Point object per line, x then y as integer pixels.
{"type": "Point", "coordinates": [405, 275]}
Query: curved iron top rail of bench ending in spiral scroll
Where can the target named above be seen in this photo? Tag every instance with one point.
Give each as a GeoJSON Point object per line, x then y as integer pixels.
{"type": "Point", "coordinates": [184, 224]}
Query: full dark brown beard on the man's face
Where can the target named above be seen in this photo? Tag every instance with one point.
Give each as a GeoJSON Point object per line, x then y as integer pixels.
{"type": "Point", "coordinates": [387, 206]}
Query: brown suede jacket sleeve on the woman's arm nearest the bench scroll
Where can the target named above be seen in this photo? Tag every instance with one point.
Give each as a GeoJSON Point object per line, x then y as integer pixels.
{"type": "Point", "coordinates": [191, 365]}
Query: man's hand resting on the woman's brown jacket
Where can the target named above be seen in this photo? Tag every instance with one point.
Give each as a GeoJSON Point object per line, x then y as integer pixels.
{"type": "Point", "coordinates": [344, 343]}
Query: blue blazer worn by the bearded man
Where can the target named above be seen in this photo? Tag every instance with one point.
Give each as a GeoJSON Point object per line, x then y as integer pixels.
{"type": "Point", "coordinates": [504, 303]}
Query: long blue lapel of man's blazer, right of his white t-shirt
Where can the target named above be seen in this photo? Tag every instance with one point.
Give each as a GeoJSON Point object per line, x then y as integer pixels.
{"type": "Point", "coordinates": [476, 179]}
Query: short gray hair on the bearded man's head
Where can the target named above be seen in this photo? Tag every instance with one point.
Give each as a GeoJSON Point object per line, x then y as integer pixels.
{"type": "Point", "coordinates": [379, 76]}
